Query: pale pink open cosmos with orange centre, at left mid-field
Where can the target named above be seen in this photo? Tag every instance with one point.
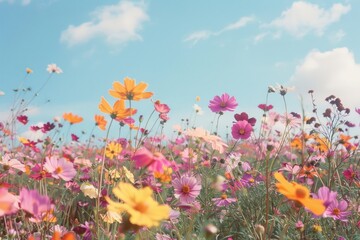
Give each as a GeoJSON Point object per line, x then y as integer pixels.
{"type": "Point", "coordinates": [60, 168]}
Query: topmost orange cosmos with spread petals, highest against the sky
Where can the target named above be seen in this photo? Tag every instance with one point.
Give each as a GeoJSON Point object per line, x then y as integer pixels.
{"type": "Point", "coordinates": [130, 91]}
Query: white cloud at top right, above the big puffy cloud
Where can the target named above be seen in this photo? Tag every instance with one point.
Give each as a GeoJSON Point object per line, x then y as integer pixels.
{"type": "Point", "coordinates": [303, 18]}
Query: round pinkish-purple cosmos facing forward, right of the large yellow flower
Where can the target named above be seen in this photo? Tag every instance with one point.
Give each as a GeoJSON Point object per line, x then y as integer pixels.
{"type": "Point", "coordinates": [186, 188]}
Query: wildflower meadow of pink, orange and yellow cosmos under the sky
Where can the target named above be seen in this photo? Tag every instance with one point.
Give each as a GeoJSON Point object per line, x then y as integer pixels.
{"type": "Point", "coordinates": [282, 174]}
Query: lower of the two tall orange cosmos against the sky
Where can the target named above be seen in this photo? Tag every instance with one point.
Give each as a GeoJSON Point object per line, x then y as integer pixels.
{"type": "Point", "coordinates": [118, 111]}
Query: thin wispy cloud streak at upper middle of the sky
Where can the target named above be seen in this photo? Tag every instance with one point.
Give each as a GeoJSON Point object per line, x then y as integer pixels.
{"type": "Point", "coordinates": [197, 36]}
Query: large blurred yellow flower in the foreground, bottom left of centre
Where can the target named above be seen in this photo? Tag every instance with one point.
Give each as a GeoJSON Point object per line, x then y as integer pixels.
{"type": "Point", "coordinates": [139, 204]}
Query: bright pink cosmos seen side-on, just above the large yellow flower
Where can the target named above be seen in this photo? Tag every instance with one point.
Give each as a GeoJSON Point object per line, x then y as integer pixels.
{"type": "Point", "coordinates": [154, 162]}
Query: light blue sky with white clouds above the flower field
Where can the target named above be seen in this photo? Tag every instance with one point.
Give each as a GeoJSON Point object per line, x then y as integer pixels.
{"type": "Point", "coordinates": [182, 49]}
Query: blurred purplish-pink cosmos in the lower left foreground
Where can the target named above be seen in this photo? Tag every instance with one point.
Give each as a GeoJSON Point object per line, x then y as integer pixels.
{"type": "Point", "coordinates": [35, 204]}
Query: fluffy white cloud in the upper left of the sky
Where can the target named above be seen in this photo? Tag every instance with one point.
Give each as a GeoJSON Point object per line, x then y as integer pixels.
{"type": "Point", "coordinates": [118, 24]}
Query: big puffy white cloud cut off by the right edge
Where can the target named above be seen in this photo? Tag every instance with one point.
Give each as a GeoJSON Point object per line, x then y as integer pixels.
{"type": "Point", "coordinates": [328, 73]}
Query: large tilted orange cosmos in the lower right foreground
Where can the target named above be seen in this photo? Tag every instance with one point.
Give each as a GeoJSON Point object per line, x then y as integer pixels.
{"type": "Point", "coordinates": [299, 193]}
